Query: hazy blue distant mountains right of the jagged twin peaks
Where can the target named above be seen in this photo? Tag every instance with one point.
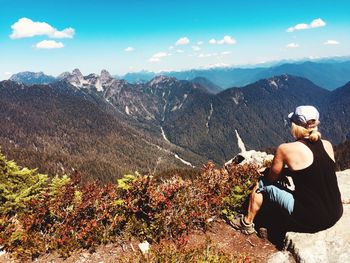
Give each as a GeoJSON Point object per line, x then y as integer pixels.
{"type": "Point", "coordinates": [326, 74]}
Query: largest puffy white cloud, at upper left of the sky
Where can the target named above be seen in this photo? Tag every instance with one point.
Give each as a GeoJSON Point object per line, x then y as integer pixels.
{"type": "Point", "coordinates": [25, 27]}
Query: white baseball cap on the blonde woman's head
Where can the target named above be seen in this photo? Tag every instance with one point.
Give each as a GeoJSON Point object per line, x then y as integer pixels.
{"type": "Point", "coordinates": [303, 115]}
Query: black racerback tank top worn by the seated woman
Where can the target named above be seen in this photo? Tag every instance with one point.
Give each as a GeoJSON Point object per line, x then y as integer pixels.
{"type": "Point", "coordinates": [317, 197]}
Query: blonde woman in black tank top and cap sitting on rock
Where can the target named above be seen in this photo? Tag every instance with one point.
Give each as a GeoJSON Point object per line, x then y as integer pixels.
{"type": "Point", "coordinates": [316, 203]}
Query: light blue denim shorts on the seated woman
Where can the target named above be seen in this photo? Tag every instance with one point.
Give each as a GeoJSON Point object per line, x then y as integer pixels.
{"type": "Point", "coordinates": [277, 194]}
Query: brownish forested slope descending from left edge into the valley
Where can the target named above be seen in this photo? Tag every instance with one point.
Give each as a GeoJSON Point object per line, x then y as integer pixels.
{"type": "Point", "coordinates": [57, 132]}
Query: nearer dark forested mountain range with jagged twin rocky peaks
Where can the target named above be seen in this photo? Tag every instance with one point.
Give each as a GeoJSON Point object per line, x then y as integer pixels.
{"type": "Point", "coordinates": [106, 127]}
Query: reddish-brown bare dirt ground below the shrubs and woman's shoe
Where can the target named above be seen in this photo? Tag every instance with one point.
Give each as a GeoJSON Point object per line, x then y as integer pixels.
{"type": "Point", "coordinates": [220, 235]}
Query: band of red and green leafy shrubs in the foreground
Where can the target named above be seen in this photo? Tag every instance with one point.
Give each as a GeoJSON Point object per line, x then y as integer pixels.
{"type": "Point", "coordinates": [65, 214]}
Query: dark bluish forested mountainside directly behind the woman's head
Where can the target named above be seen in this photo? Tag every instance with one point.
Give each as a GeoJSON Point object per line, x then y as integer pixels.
{"type": "Point", "coordinates": [257, 112]}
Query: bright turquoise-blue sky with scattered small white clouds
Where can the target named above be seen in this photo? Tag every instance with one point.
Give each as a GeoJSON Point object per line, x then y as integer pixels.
{"type": "Point", "coordinates": [127, 36]}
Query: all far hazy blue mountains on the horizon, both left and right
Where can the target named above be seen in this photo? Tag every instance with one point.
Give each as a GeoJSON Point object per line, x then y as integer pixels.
{"type": "Point", "coordinates": [329, 74]}
